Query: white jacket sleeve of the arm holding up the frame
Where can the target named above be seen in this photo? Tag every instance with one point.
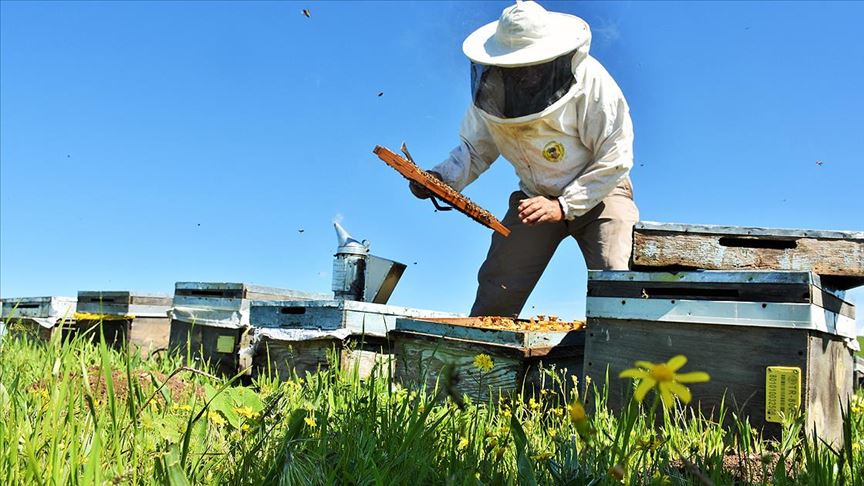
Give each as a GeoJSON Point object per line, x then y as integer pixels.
{"type": "Point", "coordinates": [474, 154]}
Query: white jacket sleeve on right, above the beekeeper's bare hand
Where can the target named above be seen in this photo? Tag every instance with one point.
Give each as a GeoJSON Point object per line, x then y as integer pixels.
{"type": "Point", "coordinates": [604, 127]}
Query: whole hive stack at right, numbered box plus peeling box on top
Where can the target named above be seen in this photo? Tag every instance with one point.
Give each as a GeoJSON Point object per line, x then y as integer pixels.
{"type": "Point", "coordinates": [775, 335]}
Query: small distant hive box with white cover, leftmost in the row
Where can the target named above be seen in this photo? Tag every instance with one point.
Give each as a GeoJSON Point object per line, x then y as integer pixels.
{"type": "Point", "coordinates": [39, 317]}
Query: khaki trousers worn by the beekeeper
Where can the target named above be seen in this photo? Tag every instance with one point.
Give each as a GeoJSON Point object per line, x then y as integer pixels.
{"type": "Point", "coordinates": [515, 263]}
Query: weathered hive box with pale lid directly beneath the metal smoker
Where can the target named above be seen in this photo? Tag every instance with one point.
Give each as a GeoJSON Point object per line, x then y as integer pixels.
{"type": "Point", "coordinates": [355, 331]}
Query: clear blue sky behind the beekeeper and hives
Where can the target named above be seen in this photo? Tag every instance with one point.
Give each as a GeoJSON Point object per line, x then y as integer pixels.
{"type": "Point", "coordinates": [147, 143]}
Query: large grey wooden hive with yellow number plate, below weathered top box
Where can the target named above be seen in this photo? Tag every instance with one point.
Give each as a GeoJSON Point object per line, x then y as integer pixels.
{"type": "Point", "coordinates": [749, 330]}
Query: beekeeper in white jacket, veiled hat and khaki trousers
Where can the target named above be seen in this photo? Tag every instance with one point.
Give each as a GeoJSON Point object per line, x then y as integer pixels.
{"type": "Point", "coordinates": [547, 106]}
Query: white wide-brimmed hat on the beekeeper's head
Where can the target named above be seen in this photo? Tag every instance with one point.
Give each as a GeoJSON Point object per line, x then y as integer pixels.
{"type": "Point", "coordinates": [526, 34]}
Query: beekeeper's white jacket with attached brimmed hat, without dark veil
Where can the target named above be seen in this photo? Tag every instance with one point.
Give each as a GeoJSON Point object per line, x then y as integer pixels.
{"type": "Point", "coordinates": [578, 149]}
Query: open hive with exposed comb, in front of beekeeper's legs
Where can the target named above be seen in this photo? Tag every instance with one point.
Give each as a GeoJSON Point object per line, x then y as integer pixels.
{"type": "Point", "coordinates": [423, 347]}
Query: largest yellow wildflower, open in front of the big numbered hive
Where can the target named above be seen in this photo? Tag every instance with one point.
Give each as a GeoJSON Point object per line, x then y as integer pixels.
{"type": "Point", "coordinates": [664, 377]}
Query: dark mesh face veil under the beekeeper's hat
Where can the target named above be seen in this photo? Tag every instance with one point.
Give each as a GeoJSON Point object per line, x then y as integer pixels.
{"type": "Point", "coordinates": [513, 92]}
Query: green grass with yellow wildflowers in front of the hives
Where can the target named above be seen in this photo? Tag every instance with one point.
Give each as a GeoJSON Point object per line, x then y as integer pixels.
{"type": "Point", "coordinates": [78, 413]}
